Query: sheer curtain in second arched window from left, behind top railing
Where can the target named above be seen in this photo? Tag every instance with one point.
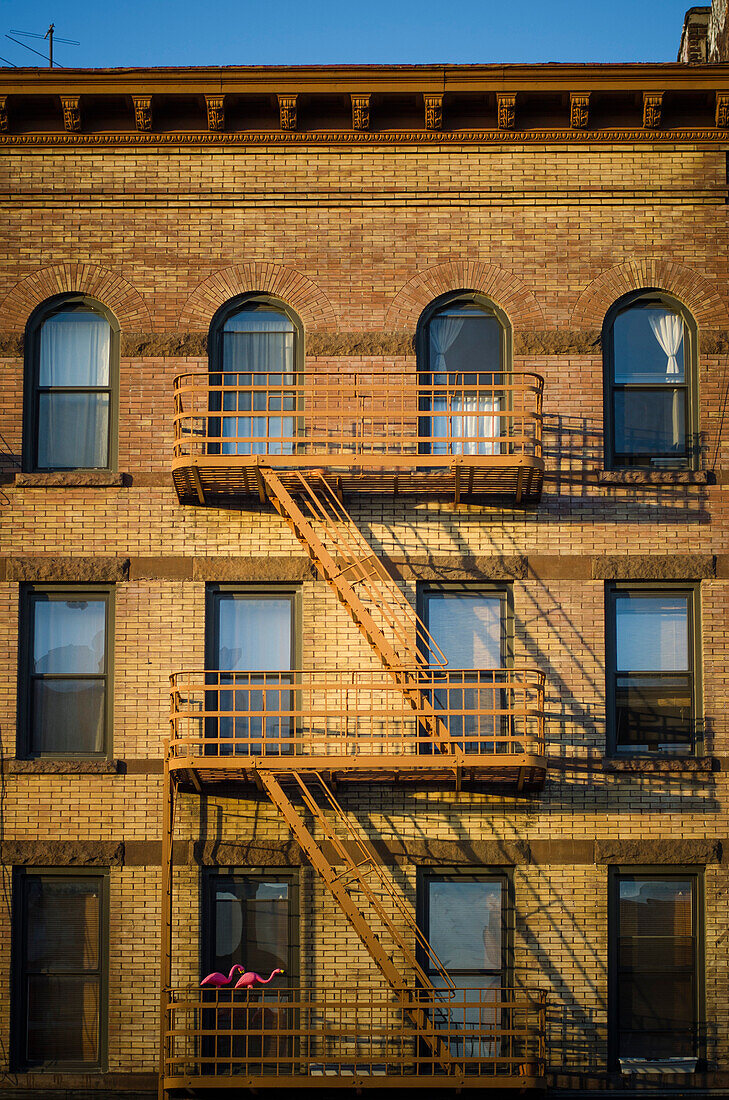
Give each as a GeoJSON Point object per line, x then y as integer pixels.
{"type": "Point", "coordinates": [259, 353]}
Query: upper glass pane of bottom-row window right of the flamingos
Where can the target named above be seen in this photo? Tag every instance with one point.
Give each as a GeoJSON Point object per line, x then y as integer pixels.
{"type": "Point", "coordinates": [466, 923]}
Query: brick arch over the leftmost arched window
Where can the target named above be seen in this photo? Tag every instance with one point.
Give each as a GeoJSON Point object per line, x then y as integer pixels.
{"type": "Point", "coordinates": [106, 287]}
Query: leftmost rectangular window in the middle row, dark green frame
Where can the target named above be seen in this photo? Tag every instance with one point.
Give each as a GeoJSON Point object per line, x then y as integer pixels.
{"type": "Point", "coordinates": [65, 672]}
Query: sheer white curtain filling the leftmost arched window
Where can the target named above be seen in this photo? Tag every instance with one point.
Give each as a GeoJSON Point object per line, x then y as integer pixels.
{"type": "Point", "coordinates": [73, 430]}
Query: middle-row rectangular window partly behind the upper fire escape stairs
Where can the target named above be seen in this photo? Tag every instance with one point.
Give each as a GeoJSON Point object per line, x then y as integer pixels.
{"type": "Point", "coordinates": [471, 628]}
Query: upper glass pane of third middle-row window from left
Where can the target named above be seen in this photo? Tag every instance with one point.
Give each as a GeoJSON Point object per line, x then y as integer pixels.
{"type": "Point", "coordinates": [468, 628]}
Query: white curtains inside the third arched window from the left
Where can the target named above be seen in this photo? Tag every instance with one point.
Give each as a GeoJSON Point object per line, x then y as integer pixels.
{"type": "Point", "coordinates": [458, 426]}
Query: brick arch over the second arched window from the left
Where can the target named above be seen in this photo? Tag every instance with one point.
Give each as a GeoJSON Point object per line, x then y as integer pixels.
{"type": "Point", "coordinates": [296, 290]}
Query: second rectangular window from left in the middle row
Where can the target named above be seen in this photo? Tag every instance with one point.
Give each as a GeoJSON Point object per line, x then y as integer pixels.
{"type": "Point", "coordinates": [252, 652]}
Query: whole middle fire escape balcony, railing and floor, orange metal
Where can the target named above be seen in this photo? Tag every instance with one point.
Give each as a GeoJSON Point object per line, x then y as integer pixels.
{"type": "Point", "coordinates": [416, 725]}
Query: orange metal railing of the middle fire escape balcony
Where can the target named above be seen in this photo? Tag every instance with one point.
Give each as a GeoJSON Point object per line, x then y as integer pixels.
{"type": "Point", "coordinates": [350, 714]}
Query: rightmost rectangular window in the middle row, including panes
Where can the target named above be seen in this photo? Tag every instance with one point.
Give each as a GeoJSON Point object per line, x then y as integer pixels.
{"type": "Point", "coordinates": [651, 663]}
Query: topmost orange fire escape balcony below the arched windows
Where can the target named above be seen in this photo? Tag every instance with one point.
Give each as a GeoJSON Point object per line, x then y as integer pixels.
{"type": "Point", "coordinates": [462, 436]}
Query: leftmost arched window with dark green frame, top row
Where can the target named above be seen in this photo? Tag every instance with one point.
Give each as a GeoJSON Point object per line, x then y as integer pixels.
{"type": "Point", "coordinates": [72, 371]}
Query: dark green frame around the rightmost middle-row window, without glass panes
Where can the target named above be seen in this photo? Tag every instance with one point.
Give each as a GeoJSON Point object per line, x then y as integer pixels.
{"type": "Point", "coordinates": [648, 589]}
